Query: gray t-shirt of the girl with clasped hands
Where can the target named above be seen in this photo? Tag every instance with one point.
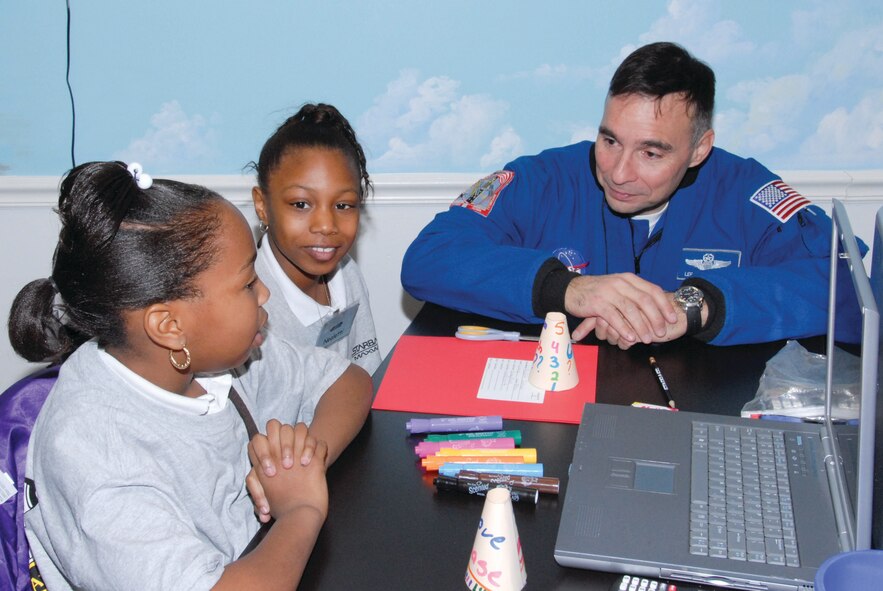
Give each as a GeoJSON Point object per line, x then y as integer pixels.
{"type": "Point", "coordinates": [137, 495]}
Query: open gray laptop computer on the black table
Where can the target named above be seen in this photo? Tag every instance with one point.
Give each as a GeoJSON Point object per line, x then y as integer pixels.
{"type": "Point", "coordinates": [634, 505]}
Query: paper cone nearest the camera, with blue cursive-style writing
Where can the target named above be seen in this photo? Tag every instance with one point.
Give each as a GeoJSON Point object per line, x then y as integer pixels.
{"type": "Point", "coordinates": [496, 562]}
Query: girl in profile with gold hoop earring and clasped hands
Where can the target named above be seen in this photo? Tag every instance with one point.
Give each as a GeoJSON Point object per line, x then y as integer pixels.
{"type": "Point", "coordinates": [140, 455]}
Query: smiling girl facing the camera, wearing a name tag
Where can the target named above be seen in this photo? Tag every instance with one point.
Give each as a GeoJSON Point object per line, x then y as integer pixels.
{"type": "Point", "coordinates": [312, 182]}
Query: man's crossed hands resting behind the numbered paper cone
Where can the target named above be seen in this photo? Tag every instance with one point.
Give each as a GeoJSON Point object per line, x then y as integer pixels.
{"type": "Point", "coordinates": [623, 307]}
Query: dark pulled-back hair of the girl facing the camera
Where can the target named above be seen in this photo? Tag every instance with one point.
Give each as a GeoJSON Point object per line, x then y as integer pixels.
{"type": "Point", "coordinates": [313, 126]}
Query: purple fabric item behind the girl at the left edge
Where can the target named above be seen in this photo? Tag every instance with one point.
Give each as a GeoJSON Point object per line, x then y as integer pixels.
{"type": "Point", "coordinates": [19, 407]}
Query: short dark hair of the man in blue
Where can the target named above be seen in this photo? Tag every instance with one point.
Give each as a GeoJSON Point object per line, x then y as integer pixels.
{"type": "Point", "coordinates": [658, 69]}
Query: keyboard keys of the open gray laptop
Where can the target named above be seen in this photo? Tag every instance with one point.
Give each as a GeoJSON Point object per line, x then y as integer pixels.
{"type": "Point", "coordinates": [740, 497]}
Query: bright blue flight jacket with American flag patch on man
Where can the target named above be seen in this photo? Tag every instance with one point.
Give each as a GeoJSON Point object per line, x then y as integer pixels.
{"type": "Point", "coordinates": [760, 250]}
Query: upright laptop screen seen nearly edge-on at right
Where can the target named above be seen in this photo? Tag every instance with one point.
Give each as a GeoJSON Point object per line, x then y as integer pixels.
{"type": "Point", "coordinates": [852, 379]}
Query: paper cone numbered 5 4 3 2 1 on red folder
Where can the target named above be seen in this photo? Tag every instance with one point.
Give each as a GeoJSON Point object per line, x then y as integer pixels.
{"type": "Point", "coordinates": [554, 368]}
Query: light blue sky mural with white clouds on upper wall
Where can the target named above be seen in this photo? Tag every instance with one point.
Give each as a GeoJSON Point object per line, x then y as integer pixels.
{"type": "Point", "coordinates": [195, 87]}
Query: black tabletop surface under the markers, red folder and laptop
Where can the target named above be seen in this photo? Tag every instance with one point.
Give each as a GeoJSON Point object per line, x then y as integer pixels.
{"type": "Point", "coordinates": [388, 528]}
